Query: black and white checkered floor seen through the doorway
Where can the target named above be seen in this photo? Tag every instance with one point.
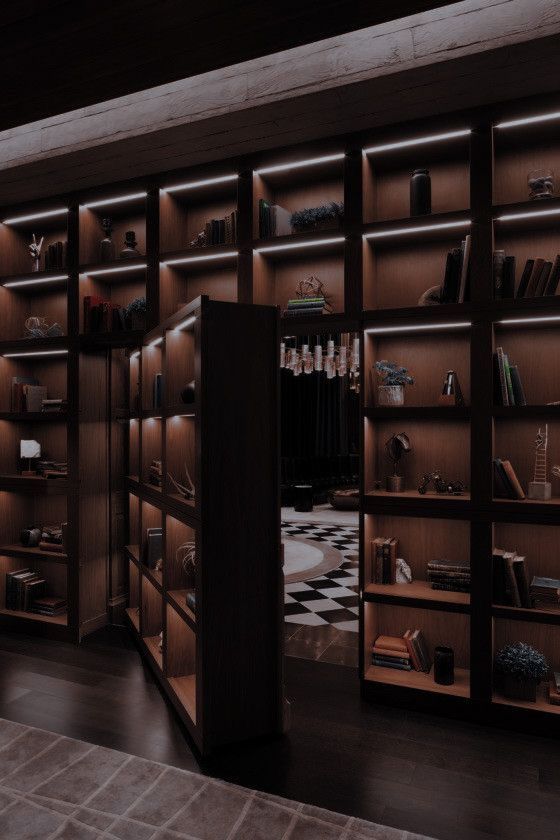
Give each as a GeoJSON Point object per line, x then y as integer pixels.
{"type": "Point", "coordinates": [331, 598]}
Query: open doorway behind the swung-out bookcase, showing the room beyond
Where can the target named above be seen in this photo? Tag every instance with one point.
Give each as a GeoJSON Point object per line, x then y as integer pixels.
{"type": "Point", "coordinates": [320, 384]}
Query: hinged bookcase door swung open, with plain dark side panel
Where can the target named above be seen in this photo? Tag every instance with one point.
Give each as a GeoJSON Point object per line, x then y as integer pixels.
{"type": "Point", "coordinates": [225, 647]}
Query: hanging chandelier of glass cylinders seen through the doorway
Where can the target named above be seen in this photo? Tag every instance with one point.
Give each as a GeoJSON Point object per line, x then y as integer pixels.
{"type": "Point", "coordinates": [342, 360]}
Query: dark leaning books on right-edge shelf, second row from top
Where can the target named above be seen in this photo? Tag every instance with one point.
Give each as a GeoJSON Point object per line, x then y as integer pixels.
{"type": "Point", "coordinates": [539, 277]}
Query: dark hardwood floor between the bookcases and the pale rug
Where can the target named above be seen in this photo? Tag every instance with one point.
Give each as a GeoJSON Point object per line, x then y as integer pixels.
{"type": "Point", "coordinates": [447, 779]}
